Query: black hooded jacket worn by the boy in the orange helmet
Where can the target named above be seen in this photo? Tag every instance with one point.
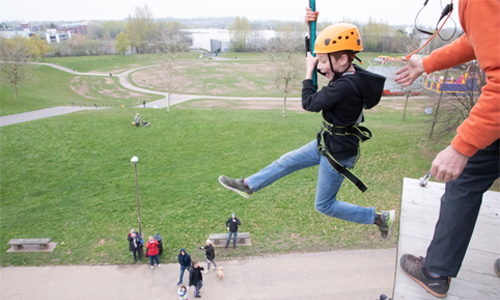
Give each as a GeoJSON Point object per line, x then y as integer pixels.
{"type": "Point", "coordinates": [342, 102]}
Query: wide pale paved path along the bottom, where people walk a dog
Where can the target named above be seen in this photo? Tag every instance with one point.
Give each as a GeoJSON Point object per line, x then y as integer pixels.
{"type": "Point", "coordinates": [353, 275]}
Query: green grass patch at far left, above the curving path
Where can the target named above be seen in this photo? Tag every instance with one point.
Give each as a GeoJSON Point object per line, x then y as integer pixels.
{"type": "Point", "coordinates": [49, 87]}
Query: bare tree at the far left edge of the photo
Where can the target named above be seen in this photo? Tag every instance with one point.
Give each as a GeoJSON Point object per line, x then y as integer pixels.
{"type": "Point", "coordinates": [13, 53]}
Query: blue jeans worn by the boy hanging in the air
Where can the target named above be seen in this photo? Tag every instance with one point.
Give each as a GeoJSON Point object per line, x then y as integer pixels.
{"type": "Point", "coordinates": [329, 182]}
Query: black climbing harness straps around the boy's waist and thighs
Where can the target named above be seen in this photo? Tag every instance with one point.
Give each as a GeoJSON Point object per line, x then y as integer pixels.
{"type": "Point", "coordinates": [361, 132]}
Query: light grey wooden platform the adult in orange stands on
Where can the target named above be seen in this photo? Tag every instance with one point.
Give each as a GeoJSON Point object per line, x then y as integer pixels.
{"type": "Point", "coordinates": [476, 279]}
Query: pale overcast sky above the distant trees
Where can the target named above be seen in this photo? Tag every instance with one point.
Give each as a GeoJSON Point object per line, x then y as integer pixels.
{"type": "Point", "coordinates": [395, 12]}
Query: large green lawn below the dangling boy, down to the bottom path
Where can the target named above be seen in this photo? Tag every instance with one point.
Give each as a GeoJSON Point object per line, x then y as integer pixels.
{"type": "Point", "coordinates": [70, 178]}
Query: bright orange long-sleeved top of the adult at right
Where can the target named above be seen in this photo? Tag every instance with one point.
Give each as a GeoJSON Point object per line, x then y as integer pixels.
{"type": "Point", "coordinates": [481, 22]}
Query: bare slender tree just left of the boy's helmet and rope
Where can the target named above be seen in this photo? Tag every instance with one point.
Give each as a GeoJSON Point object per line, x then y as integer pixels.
{"type": "Point", "coordinates": [286, 59]}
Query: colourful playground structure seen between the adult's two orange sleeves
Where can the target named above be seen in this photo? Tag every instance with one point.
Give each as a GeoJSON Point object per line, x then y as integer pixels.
{"type": "Point", "coordinates": [464, 84]}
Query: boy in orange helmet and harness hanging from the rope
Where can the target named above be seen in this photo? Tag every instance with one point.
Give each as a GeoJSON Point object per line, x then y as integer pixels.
{"type": "Point", "coordinates": [335, 149]}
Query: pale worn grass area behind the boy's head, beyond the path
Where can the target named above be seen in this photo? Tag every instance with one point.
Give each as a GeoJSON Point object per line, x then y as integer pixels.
{"type": "Point", "coordinates": [250, 76]}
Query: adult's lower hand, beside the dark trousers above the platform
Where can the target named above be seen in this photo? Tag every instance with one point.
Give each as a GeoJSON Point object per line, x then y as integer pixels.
{"type": "Point", "coordinates": [448, 164]}
